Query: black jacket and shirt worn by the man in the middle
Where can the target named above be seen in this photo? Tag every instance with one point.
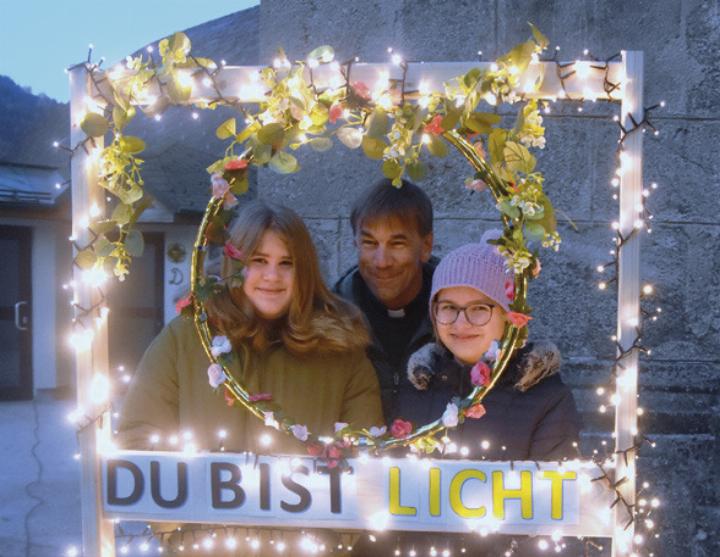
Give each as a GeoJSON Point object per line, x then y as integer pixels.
{"type": "Point", "coordinates": [391, 374]}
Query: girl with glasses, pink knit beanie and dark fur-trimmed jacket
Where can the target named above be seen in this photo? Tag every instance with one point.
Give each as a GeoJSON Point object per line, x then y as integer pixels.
{"type": "Point", "coordinates": [530, 414]}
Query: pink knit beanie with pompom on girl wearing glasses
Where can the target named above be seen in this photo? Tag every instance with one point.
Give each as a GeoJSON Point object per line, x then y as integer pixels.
{"type": "Point", "coordinates": [479, 266]}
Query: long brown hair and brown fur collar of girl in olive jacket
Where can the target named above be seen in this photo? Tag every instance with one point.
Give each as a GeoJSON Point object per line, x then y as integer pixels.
{"type": "Point", "coordinates": [317, 320]}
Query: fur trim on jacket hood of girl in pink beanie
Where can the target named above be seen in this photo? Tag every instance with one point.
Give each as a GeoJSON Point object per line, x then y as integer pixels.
{"type": "Point", "coordinates": [530, 365]}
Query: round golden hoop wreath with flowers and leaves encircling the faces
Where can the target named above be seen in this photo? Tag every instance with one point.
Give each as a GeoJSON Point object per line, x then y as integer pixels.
{"type": "Point", "coordinates": [296, 113]}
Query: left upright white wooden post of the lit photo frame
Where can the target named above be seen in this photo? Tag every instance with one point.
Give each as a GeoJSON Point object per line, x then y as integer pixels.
{"type": "Point", "coordinates": [91, 362]}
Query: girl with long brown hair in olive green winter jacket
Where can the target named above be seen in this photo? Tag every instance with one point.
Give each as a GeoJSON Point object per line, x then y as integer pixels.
{"type": "Point", "coordinates": [297, 344]}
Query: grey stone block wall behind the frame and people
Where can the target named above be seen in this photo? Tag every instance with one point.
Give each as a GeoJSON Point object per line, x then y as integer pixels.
{"type": "Point", "coordinates": [680, 41]}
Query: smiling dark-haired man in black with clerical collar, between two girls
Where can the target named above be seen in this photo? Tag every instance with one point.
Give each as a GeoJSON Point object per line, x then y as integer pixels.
{"type": "Point", "coordinates": [391, 282]}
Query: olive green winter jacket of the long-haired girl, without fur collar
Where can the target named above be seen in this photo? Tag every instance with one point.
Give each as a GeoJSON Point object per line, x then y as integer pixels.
{"type": "Point", "coordinates": [170, 395]}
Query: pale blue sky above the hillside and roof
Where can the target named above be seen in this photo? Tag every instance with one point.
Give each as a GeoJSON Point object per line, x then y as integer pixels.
{"type": "Point", "coordinates": [39, 38]}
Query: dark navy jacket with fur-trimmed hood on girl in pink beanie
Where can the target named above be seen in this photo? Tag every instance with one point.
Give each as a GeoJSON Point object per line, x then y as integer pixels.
{"type": "Point", "coordinates": [530, 413]}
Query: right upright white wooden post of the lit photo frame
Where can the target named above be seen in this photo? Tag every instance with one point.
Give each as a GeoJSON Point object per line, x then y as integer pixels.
{"type": "Point", "coordinates": [628, 313]}
